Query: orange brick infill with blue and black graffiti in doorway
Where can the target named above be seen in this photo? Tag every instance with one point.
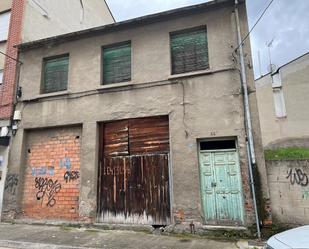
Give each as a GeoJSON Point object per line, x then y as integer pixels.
{"type": "Point", "coordinates": [52, 176]}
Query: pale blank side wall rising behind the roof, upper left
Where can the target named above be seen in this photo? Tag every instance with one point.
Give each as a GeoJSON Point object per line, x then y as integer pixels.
{"type": "Point", "coordinates": [49, 18]}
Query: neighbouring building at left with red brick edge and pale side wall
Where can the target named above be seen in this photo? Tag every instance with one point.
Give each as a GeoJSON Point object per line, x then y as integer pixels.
{"type": "Point", "coordinates": [25, 21]}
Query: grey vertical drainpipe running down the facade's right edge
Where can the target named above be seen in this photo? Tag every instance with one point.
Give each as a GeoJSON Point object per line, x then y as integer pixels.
{"type": "Point", "coordinates": [250, 144]}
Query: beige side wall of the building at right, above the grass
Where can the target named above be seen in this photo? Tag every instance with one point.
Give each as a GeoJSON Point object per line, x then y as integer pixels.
{"type": "Point", "coordinates": [295, 78]}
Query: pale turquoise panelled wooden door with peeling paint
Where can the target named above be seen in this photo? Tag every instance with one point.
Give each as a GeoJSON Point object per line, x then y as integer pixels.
{"type": "Point", "coordinates": [221, 187]}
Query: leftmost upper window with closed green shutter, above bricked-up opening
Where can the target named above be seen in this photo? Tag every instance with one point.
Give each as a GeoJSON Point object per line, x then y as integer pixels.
{"type": "Point", "coordinates": [55, 74]}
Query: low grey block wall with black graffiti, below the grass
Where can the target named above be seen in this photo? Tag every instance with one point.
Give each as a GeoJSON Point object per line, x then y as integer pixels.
{"type": "Point", "coordinates": [289, 191]}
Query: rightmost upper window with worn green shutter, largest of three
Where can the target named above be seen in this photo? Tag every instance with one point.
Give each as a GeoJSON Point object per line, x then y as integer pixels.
{"type": "Point", "coordinates": [189, 50]}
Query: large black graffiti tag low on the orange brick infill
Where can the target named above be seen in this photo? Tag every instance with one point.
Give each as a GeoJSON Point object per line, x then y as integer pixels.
{"type": "Point", "coordinates": [47, 189]}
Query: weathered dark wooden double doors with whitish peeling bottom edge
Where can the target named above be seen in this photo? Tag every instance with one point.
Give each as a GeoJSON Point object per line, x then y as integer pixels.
{"type": "Point", "coordinates": [135, 189]}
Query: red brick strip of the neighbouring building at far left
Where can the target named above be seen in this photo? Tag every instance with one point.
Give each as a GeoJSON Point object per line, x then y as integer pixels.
{"type": "Point", "coordinates": [8, 88]}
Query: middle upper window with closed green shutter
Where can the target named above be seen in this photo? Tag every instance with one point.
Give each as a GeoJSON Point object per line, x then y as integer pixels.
{"type": "Point", "coordinates": [117, 63]}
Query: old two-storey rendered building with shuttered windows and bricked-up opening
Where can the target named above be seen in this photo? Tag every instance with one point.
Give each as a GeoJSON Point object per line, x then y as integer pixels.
{"type": "Point", "coordinates": [143, 125]}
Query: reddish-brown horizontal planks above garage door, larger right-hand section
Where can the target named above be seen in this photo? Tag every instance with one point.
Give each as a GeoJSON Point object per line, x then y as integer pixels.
{"type": "Point", "coordinates": [149, 135]}
